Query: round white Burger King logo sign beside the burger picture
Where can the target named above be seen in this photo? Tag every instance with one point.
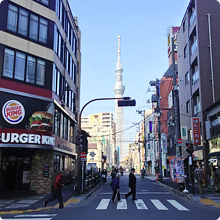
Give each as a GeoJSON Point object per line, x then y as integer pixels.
{"type": "Point", "coordinates": [13, 112]}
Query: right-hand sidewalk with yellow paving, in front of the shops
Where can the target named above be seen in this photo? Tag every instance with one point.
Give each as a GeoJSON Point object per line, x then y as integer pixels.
{"type": "Point", "coordinates": [209, 197]}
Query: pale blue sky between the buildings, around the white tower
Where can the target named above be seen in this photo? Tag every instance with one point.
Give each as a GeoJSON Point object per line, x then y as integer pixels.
{"type": "Point", "coordinates": [143, 26]}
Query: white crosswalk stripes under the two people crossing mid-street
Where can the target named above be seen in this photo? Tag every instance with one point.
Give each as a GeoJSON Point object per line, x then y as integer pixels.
{"type": "Point", "coordinates": [140, 204]}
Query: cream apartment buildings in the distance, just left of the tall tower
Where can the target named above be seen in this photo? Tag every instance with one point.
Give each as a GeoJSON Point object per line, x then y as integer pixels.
{"type": "Point", "coordinates": [101, 144]}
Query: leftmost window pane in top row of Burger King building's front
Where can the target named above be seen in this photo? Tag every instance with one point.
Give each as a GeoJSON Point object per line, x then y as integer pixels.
{"type": "Point", "coordinates": [12, 18]}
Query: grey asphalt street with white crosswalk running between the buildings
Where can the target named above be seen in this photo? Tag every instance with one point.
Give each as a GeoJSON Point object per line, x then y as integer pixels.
{"type": "Point", "coordinates": [154, 202]}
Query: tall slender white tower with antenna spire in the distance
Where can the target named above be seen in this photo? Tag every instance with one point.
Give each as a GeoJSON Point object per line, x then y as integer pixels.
{"type": "Point", "coordinates": [119, 89]}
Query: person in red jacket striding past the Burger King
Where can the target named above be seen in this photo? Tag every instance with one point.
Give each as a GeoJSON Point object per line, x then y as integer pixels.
{"type": "Point", "coordinates": [57, 191]}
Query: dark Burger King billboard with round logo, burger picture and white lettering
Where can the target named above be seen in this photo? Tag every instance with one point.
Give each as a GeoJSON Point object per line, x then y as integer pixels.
{"type": "Point", "coordinates": [25, 120]}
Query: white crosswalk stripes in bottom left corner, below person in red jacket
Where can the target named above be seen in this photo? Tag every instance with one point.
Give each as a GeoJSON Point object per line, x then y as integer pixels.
{"type": "Point", "coordinates": [31, 217]}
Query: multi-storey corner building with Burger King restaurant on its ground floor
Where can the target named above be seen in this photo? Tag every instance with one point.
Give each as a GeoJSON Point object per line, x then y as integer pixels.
{"type": "Point", "coordinates": [40, 69]}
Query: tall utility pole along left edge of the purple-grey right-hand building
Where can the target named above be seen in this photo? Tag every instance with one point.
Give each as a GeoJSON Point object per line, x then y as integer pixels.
{"type": "Point", "coordinates": [176, 105]}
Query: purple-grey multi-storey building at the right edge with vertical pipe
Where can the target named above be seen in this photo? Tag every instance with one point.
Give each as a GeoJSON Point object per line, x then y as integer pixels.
{"type": "Point", "coordinates": [199, 91]}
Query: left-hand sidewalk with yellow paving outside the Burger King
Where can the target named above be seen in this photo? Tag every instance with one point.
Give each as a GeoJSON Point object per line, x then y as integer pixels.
{"type": "Point", "coordinates": [32, 203]}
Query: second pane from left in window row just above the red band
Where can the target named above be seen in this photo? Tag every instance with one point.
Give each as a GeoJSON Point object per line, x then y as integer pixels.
{"type": "Point", "coordinates": [20, 66]}
